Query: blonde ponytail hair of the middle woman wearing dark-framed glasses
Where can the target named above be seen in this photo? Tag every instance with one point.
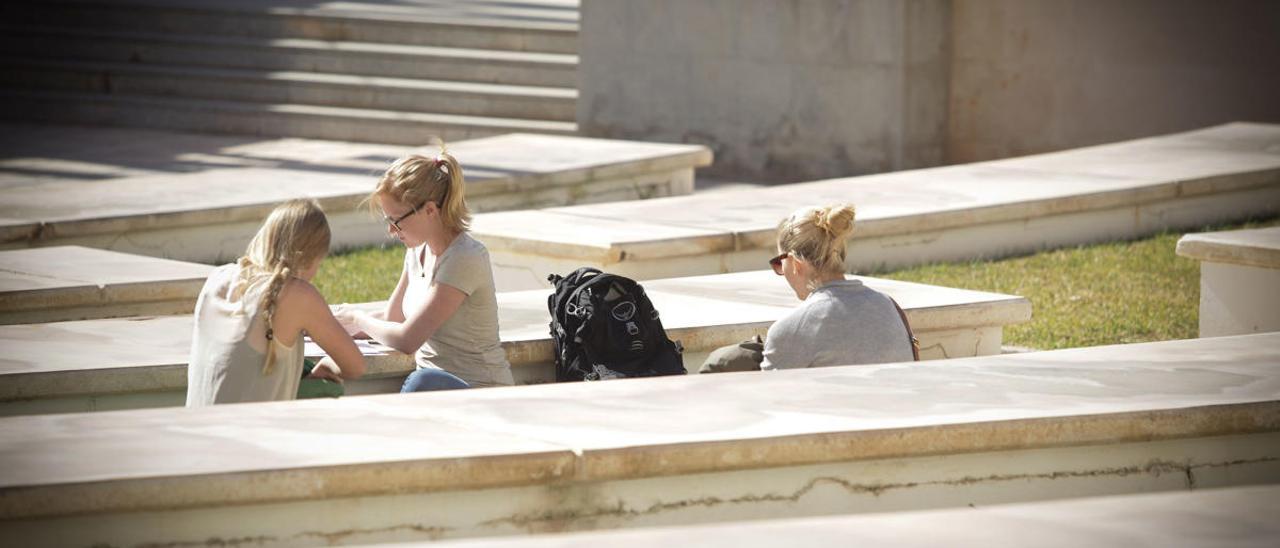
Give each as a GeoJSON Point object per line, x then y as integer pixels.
{"type": "Point", "coordinates": [417, 180]}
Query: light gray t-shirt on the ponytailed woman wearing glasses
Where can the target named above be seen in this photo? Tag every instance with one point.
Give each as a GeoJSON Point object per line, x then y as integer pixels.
{"type": "Point", "coordinates": [467, 345]}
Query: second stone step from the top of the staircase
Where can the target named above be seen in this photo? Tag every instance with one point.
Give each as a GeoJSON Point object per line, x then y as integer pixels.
{"type": "Point", "coordinates": [392, 61]}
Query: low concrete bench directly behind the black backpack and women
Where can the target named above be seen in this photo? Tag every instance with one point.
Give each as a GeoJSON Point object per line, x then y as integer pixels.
{"type": "Point", "coordinates": [143, 362]}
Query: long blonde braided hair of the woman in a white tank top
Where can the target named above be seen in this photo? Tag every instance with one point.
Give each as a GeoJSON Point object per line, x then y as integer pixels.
{"type": "Point", "coordinates": [294, 238]}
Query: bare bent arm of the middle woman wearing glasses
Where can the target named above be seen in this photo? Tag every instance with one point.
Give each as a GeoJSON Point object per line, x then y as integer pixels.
{"type": "Point", "coordinates": [410, 335]}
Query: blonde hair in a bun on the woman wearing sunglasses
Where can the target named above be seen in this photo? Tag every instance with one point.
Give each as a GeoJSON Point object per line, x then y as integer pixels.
{"type": "Point", "coordinates": [817, 236]}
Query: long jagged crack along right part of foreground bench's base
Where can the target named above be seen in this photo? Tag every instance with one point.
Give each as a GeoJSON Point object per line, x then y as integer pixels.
{"type": "Point", "coordinates": [621, 510]}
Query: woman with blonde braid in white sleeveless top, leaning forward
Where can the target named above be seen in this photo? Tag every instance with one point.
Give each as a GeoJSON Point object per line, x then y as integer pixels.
{"type": "Point", "coordinates": [252, 316]}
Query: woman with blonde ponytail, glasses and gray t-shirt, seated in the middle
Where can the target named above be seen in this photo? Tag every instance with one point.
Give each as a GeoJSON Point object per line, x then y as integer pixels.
{"type": "Point", "coordinates": [445, 309]}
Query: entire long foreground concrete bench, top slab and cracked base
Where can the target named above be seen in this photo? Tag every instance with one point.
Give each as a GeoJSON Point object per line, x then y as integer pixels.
{"type": "Point", "coordinates": [650, 453]}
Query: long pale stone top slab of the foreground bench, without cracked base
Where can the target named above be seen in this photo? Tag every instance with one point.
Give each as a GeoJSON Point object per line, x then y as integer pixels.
{"type": "Point", "coordinates": [643, 428]}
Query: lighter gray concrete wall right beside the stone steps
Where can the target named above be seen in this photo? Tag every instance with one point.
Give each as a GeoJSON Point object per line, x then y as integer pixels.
{"type": "Point", "coordinates": [785, 90]}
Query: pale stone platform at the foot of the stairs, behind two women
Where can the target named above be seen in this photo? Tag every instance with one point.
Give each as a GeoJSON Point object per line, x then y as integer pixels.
{"type": "Point", "coordinates": [223, 180]}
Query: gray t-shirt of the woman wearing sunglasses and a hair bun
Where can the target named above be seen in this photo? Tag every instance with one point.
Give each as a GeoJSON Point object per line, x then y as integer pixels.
{"type": "Point", "coordinates": [842, 323]}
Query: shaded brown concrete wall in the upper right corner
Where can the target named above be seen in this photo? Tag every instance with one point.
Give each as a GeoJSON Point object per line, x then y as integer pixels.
{"type": "Point", "coordinates": [1034, 76]}
